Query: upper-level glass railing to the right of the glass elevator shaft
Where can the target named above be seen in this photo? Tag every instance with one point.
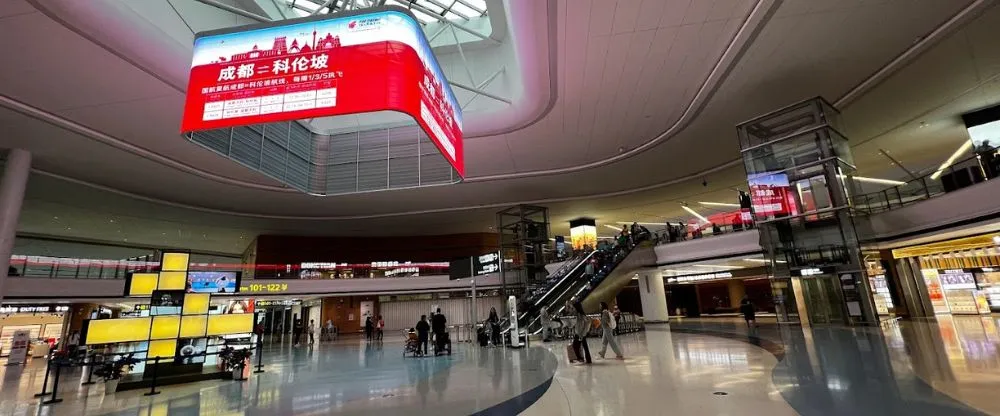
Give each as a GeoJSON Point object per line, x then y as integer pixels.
{"type": "Point", "coordinates": [958, 175]}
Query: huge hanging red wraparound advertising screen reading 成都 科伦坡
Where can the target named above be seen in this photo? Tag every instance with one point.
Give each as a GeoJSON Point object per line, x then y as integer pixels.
{"type": "Point", "coordinates": [323, 66]}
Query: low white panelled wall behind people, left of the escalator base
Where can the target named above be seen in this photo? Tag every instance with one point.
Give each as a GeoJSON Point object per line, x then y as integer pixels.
{"type": "Point", "coordinates": [405, 314]}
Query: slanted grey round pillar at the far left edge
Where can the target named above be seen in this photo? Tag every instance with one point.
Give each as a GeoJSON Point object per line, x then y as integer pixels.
{"type": "Point", "coordinates": [15, 180]}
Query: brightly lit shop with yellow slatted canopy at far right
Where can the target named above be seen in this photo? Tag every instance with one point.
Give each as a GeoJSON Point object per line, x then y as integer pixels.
{"type": "Point", "coordinates": [960, 276]}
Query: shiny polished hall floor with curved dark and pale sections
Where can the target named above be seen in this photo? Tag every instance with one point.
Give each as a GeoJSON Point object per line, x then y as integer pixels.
{"type": "Point", "coordinates": [950, 366]}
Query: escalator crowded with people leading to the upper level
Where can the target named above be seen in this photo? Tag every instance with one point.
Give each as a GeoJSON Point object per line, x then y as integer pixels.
{"type": "Point", "coordinates": [614, 269]}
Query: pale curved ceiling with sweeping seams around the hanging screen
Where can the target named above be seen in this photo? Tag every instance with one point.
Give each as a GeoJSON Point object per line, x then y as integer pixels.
{"type": "Point", "coordinates": [675, 74]}
